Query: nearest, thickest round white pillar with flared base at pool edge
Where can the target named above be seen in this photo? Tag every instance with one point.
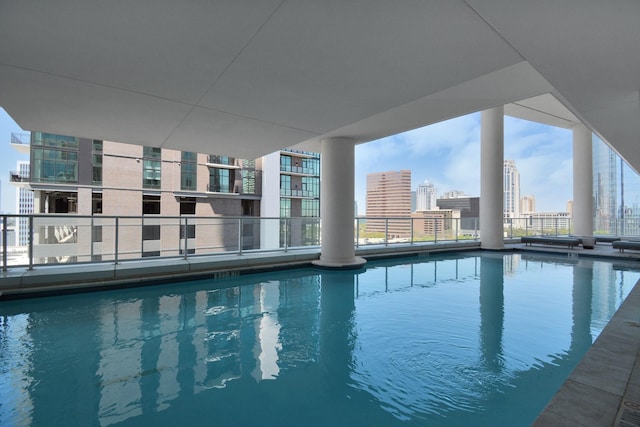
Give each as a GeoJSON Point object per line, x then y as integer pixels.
{"type": "Point", "coordinates": [336, 205]}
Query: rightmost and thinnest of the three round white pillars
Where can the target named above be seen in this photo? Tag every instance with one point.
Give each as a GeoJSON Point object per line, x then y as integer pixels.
{"type": "Point", "coordinates": [582, 181]}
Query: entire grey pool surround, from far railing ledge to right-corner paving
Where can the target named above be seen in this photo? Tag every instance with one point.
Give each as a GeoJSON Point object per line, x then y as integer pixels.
{"type": "Point", "coordinates": [603, 390]}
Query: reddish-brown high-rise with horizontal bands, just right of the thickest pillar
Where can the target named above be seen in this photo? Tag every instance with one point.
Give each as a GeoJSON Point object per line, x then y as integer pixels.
{"type": "Point", "coordinates": [389, 195]}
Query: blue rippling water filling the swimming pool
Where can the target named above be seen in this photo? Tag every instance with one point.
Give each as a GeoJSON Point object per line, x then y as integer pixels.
{"type": "Point", "coordinates": [468, 339]}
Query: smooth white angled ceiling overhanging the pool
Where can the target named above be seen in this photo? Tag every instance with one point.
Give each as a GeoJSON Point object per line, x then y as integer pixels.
{"type": "Point", "coordinates": [248, 77]}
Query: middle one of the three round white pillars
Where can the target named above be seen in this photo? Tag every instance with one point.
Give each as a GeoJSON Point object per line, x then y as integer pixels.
{"type": "Point", "coordinates": [492, 179]}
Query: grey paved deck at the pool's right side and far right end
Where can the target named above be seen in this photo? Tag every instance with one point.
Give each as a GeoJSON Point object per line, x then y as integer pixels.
{"type": "Point", "coordinates": [604, 389]}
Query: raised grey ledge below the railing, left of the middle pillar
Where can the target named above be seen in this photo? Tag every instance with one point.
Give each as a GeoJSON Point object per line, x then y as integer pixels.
{"type": "Point", "coordinates": [48, 280]}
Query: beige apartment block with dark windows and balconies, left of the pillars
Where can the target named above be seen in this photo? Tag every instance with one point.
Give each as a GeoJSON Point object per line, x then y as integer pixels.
{"type": "Point", "coordinates": [100, 179]}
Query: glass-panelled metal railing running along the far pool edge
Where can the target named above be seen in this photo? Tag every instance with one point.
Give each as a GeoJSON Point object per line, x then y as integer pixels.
{"type": "Point", "coordinates": [56, 239]}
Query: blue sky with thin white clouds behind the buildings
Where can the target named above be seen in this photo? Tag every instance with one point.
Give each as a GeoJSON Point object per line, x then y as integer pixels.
{"type": "Point", "coordinates": [447, 154]}
